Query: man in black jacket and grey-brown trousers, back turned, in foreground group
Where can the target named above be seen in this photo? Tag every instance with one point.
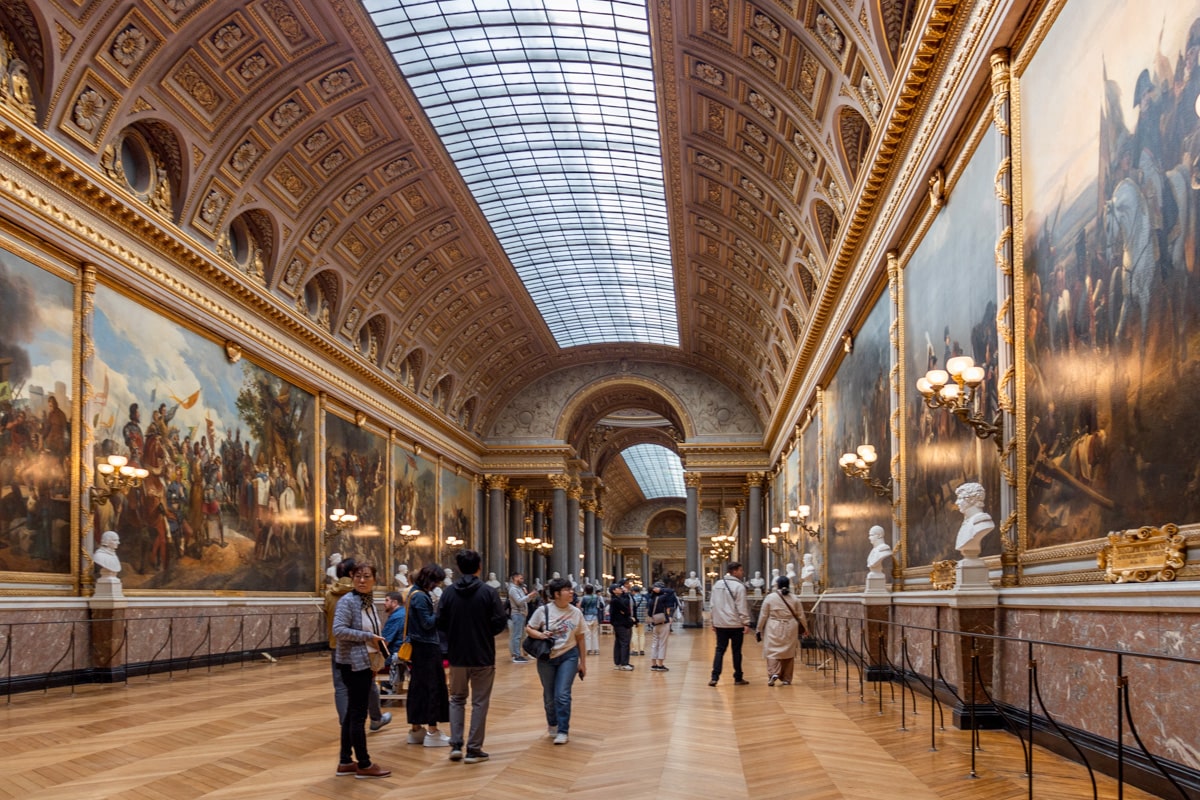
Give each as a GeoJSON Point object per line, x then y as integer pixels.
{"type": "Point", "coordinates": [471, 615]}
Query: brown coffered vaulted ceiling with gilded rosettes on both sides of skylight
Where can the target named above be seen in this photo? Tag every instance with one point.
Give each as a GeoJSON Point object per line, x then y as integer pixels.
{"type": "Point", "coordinates": [280, 139]}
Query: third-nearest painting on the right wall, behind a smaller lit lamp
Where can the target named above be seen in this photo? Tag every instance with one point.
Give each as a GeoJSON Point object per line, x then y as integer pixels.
{"type": "Point", "coordinates": [857, 406]}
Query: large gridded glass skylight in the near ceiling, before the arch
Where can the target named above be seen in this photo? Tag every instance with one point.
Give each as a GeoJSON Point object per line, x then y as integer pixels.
{"type": "Point", "coordinates": [548, 109]}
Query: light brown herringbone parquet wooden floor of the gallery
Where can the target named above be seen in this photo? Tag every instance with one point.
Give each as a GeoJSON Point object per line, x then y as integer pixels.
{"type": "Point", "coordinates": [269, 732]}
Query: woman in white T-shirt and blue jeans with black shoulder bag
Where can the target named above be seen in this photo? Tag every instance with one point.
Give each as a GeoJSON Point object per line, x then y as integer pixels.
{"type": "Point", "coordinates": [563, 623]}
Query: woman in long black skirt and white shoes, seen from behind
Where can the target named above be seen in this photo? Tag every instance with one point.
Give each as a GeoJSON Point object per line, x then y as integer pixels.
{"type": "Point", "coordinates": [429, 700]}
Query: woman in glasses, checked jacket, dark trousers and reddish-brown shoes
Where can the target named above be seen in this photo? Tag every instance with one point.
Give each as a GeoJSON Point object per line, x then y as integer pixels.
{"type": "Point", "coordinates": [358, 631]}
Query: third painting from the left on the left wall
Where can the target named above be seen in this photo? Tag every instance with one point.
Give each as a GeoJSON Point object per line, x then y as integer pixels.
{"type": "Point", "coordinates": [356, 483]}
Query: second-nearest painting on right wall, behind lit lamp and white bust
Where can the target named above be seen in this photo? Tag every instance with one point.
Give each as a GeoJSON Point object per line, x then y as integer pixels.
{"type": "Point", "coordinates": [952, 312]}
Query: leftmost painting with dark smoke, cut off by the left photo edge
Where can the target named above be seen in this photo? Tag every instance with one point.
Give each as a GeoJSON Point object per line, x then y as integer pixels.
{"type": "Point", "coordinates": [37, 324]}
